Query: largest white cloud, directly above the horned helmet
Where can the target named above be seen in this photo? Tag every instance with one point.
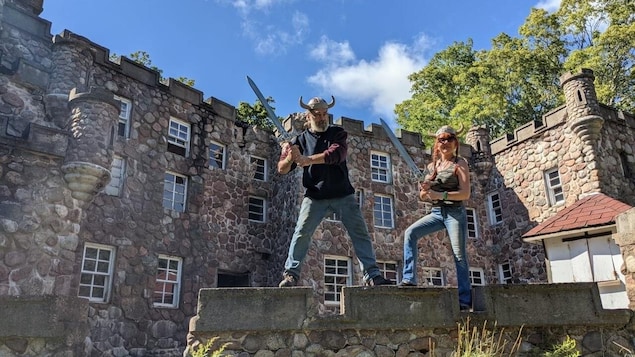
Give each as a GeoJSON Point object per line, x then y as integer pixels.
{"type": "Point", "coordinates": [382, 82]}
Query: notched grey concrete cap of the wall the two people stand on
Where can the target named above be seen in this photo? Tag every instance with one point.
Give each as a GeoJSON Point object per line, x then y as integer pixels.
{"type": "Point", "coordinates": [392, 307]}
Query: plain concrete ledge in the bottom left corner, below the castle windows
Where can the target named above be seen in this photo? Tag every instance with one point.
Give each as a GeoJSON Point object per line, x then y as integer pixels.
{"type": "Point", "coordinates": [61, 317]}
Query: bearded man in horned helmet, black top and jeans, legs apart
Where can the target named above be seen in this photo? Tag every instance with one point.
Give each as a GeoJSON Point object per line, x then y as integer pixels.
{"type": "Point", "coordinates": [321, 151]}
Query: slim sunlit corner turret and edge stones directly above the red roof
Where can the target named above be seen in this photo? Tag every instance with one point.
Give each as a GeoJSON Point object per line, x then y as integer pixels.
{"type": "Point", "coordinates": [584, 119]}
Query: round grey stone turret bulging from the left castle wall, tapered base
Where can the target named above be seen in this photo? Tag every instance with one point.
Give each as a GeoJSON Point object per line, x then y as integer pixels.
{"type": "Point", "coordinates": [94, 116]}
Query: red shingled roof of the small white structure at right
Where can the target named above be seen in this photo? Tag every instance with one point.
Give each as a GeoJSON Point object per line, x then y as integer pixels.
{"type": "Point", "coordinates": [592, 211]}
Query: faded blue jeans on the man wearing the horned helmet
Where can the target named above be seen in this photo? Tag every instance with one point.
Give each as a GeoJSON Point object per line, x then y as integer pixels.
{"type": "Point", "coordinates": [312, 212]}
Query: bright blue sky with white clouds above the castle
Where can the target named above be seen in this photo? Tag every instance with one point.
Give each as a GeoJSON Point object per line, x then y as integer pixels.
{"type": "Point", "coordinates": [360, 51]}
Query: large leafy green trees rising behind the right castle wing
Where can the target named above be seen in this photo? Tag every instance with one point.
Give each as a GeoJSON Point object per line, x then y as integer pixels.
{"type": "Point", "coordinates": [517, 80]}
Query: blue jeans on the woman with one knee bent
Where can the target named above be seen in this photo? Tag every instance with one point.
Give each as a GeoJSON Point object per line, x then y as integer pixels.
{"type": "Point", "coordinates": [454, 220]}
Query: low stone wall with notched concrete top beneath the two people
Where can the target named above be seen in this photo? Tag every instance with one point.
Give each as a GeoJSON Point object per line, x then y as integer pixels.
{"type": "Point", "coordinates": [392, 321]}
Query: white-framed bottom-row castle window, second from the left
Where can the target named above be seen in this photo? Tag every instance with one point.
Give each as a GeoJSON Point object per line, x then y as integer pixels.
{"type": "Point", "coordinates": [168, 283]}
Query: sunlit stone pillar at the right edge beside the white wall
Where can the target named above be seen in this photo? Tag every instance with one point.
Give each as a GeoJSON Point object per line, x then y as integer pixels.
{"type": "Point", "coordinates": [625, 238]}
